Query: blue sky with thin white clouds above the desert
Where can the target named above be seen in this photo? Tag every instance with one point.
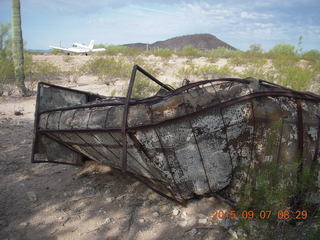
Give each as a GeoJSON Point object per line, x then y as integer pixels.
{"type": "Point", "coordinates": [239, 23]}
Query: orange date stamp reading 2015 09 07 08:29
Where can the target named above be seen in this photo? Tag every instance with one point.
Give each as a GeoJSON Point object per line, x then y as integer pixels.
{"type": "Point", "coordinates": [261, 214]}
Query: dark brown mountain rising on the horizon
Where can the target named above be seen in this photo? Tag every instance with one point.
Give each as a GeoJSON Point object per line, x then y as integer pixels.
{"type": "Point", "coordinates": [200, 41]}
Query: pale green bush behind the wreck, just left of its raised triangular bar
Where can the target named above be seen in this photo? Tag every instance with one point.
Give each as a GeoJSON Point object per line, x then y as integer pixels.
{"type": "Point", "coordinates": [107, 69]}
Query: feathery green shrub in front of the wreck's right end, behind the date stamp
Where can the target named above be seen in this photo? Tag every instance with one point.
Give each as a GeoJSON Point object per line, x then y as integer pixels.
{"type": "Point", "coordinates": [275, 187]}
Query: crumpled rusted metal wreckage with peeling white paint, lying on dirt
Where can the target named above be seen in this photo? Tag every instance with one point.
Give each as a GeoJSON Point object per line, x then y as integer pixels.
{"type": "Point", "coordinates": [198, 139]}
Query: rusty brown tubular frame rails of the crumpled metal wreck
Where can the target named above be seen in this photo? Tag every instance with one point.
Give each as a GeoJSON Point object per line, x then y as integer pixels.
{"type": "Point", "coordinates": [276, 91]}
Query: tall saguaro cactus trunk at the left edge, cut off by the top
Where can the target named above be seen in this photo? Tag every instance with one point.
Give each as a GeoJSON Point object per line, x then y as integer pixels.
{"type": "Point", "coordinates": [17, 47]}
